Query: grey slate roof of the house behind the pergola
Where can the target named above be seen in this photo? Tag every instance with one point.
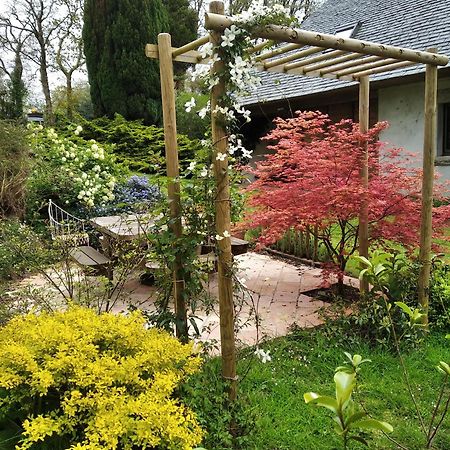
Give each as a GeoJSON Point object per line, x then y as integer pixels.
{"type": "Point", "coordinates": [418, 25]}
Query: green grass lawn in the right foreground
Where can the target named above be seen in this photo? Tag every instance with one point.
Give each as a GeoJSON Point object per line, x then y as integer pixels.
{"type": "Point", "coordinates": [305, 362]}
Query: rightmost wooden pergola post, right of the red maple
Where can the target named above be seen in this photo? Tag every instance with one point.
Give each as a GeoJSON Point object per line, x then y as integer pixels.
{"type": "Point", "coordinates": [429, 152]}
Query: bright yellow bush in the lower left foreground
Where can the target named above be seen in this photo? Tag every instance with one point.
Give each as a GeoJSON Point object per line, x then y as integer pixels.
{"type": "Point", "coordinates": [95, 382]}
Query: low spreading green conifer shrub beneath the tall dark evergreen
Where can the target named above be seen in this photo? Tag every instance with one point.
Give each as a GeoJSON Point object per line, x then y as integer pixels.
{"type": "Point", "coordinates": [140, 148]}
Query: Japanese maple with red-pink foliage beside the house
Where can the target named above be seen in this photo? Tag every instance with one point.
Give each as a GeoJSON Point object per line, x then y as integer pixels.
{"type": "Point", "coordinates": [313, 180]}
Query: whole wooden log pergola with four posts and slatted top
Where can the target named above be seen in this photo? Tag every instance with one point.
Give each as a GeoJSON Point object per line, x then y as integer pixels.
{"type": "Point", "coordinates": [303, 53]}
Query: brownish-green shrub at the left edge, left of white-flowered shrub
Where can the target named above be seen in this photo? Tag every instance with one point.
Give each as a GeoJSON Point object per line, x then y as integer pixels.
{"type": "Point", "coordinates": [14, 167]}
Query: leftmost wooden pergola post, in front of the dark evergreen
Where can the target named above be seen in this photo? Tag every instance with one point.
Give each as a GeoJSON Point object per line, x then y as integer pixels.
{"type": "Point", "coordinates": [173, 186]}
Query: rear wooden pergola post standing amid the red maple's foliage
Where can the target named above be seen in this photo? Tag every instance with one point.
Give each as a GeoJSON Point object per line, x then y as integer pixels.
{"type": "Point", "coordinates": [364, 91]}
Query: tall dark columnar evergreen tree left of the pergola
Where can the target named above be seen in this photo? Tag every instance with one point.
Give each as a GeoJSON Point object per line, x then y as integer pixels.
{"type": "Point", "coordinates": [123, 80]}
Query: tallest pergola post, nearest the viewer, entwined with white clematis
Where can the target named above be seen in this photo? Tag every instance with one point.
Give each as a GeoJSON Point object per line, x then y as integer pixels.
{"type": "Point", "coordinates": [223, 222]}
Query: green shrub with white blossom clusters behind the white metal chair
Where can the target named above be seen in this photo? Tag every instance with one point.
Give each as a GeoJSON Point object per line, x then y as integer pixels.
{"type": "Point", "coordinates": [70, 169]}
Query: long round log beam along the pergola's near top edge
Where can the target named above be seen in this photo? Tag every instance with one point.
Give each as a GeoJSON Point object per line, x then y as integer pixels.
{"type": "Point", "coordinates": [299, 36]}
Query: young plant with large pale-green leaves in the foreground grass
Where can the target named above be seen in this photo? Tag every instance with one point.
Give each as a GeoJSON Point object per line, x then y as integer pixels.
{"type": "Point", "coordinates": [347, 419]}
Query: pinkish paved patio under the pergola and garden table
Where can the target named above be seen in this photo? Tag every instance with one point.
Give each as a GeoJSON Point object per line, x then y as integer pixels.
{"type": "Point", "coordinates": [275, 291]}
